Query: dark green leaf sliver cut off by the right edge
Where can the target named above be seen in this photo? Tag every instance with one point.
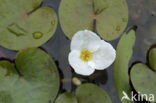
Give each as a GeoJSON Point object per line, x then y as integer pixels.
{"type": "Point", "coordinates": [152, 58]}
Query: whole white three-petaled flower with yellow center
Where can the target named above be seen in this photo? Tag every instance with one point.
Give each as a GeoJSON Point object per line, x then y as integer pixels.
{"type": "Point", "coordinates": [89, 52]}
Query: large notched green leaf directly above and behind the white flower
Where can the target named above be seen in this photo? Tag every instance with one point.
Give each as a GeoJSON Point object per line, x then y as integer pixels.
{"type": "Point", "coordinates": [111, 17]}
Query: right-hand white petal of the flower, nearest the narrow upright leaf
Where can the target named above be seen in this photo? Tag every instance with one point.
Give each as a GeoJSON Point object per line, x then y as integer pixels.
{"type": "Point", "coordinates": [103, 57]}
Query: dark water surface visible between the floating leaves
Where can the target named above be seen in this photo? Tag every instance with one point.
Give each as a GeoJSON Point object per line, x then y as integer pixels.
{"type": "Point", "coordinates": [142, 13]}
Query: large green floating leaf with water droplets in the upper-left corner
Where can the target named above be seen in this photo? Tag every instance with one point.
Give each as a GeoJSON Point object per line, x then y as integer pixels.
{"type": "Point", "coordinates": [22, 27]}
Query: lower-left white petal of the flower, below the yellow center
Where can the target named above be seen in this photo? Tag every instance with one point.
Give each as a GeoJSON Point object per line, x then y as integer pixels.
{"type": "Point", "coordinates": [78, 65]}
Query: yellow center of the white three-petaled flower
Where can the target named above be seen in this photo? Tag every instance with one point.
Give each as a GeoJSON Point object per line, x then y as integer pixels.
{"type": "Point", "coordinates": [86, 55]}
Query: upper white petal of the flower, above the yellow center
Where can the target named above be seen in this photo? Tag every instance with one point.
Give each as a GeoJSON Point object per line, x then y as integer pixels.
{"type": "Point", "coordinates": [85, 40]}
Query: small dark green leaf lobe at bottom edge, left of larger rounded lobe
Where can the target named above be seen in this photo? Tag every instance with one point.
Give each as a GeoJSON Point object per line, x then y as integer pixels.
{"type": "Point", "coordinates": [66, 98]}
